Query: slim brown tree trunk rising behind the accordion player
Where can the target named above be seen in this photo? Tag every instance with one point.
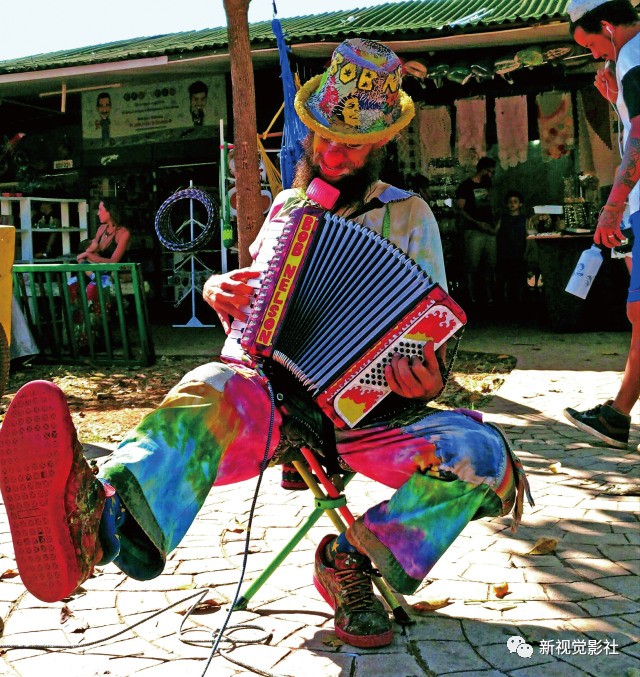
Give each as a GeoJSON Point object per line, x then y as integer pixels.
{"type": "Point", "coordinates": [249, 211]}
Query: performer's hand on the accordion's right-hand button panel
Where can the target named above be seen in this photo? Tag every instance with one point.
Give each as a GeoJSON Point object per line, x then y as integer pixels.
{"type": "Point", "coordinates": [415, 378]}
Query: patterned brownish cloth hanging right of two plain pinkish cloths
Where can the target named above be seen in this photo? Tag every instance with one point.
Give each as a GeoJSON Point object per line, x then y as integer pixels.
{"type": "Point", "coordinates": [555, 122]}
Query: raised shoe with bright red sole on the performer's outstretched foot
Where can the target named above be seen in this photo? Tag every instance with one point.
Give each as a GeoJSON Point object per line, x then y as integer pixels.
{"type": "Point", "coordinates": [53, 500]}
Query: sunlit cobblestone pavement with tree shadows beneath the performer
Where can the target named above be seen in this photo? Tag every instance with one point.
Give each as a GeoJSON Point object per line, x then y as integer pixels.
{"type": "Point", "coordinates": [576, 606]}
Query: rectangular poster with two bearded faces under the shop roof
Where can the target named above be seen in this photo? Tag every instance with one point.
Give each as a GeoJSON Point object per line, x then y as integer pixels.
{"type": "Point", "coordinates": [183, 109]}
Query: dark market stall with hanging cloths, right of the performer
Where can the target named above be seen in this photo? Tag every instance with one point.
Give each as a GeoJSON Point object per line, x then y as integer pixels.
{"type": "Point", "coordinates": [554, 139]}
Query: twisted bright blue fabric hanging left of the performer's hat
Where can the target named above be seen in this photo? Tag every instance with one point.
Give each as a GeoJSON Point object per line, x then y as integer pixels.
{"type": "Point", "coordinates": [293, 130]}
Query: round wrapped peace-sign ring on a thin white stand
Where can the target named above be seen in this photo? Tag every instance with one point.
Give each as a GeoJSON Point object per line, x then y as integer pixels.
{"type": "Point", "coordinates": [172, 238]}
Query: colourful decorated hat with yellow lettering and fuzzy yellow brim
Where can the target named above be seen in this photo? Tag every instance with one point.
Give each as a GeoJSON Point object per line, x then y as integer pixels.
{"type": "Point", "coordinates": [359, 98]}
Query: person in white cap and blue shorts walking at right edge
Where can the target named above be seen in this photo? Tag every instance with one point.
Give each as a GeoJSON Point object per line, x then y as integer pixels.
{"type": "Point", "coordinates": [610, 29]}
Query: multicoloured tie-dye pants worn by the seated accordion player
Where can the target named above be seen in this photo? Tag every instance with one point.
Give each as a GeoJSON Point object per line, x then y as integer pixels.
{"type": "Point", "coordinates": [447, 468]}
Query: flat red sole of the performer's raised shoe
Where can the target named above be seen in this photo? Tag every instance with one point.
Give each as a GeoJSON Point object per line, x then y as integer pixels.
{"type": "Point", "coordinates": [36, 454]}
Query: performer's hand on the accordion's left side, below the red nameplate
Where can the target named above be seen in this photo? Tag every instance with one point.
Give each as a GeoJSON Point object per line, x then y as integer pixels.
{"type": "Point", "coordinates": [230, 294]}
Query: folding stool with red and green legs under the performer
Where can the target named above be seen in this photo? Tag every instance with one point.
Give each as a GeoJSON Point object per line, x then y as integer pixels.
{"type": "Point", "coordinates": [332, 502]}
